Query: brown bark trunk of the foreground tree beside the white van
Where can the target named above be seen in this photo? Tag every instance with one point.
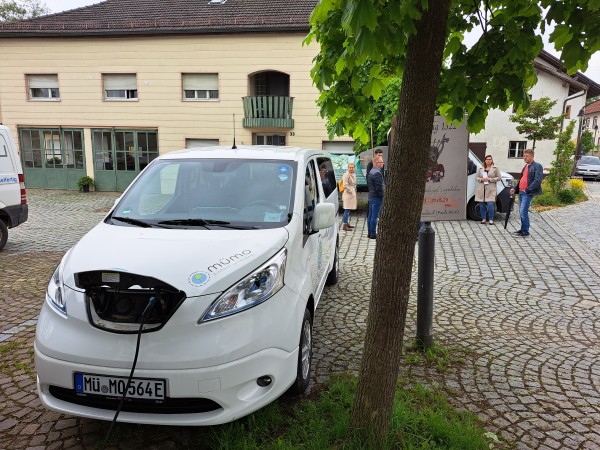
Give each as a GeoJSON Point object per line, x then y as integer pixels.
{"type": "Point", "coordinates": [398, 225]}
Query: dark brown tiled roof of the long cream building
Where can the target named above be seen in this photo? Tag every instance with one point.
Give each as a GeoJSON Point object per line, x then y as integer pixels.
{"type": "Point", "coordinates": [118, 17]}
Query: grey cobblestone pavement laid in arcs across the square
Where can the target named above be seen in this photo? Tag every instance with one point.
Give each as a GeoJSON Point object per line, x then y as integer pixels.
{"type": "Point", "coordinates": [521, 315]}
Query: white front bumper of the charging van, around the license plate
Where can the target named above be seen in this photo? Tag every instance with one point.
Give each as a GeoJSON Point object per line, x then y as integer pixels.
{"type": "Point", "coordinates": [203, 396]}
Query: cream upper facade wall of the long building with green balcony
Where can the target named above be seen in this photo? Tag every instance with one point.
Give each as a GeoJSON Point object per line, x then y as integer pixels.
{"type": "Point", "coordinates": [158, 62]}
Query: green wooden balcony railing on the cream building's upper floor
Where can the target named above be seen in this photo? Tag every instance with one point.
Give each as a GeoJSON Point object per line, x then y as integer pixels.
{"type": "Point", "coordinates": [268, 111]}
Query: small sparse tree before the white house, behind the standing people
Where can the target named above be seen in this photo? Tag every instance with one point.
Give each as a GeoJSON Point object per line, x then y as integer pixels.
{"type": "Point", "coordinates": [533, 122]}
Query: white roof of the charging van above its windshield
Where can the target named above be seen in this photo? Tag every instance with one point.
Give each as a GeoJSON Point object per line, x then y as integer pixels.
{"type": "Point", "coordinates": [245, 151]}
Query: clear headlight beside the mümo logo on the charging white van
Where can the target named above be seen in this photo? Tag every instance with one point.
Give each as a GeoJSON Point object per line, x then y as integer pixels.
{"type": "Point", "coordinates": [252, 290]}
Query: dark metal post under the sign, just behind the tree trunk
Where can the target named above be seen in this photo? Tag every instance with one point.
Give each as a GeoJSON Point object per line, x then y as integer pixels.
{"type": "Point", "coordinates": [425, 286]}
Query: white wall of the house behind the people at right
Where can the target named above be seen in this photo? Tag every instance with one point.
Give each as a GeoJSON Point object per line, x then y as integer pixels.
{"type": "Point", "coordinates": [499, 130]}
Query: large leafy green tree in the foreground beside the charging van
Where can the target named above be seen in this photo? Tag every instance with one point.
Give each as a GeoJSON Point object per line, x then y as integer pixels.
{"type": "Point", "coordinates": [410, 39]}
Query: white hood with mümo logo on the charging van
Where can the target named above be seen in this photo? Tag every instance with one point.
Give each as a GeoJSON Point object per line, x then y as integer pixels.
{"type": "Point", "coordinates": [197, 262]}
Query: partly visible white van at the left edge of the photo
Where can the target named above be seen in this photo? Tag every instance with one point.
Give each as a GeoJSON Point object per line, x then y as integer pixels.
{"type": "Point", "coordinates": [13, 200]}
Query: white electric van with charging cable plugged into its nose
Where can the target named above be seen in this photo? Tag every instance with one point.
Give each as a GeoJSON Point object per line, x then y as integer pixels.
{"type": "Point", "coordinates": [211, 266]}
